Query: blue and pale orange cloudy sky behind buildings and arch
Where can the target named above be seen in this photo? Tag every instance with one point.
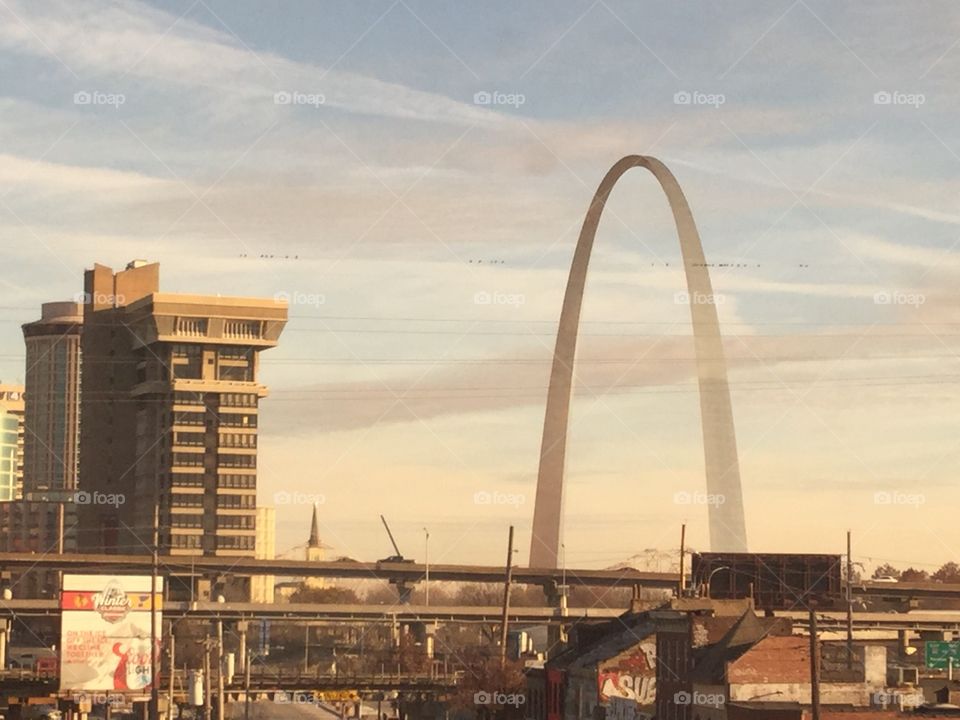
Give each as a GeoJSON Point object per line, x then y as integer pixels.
{"type": "Point", "coordinates": [412, 177]}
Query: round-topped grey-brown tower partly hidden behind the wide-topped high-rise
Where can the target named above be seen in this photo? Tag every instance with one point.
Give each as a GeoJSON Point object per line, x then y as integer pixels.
{"type": "Point", "coordinates": [52, 411]}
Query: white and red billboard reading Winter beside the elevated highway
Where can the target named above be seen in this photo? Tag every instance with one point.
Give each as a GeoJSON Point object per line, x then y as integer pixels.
{"type": "Point", "coordinates": [105, 632]}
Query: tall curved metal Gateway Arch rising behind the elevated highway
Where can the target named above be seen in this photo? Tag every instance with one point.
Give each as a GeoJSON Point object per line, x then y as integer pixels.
{"type": "Point", "coordinates": [727, 527]}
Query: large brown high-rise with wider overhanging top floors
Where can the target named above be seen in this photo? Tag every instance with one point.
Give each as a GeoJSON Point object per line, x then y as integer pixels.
{"type": "Point", "coordinates": [169, 410]}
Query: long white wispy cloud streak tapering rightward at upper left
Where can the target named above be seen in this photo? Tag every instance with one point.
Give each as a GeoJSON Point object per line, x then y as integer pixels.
{"type": "Point", "coordinates": [117, 42]}
